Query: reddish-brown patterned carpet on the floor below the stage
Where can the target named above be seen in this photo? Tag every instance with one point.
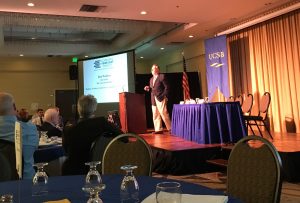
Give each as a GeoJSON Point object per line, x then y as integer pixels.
{"type": "Point", "coordinates": [290, 192]}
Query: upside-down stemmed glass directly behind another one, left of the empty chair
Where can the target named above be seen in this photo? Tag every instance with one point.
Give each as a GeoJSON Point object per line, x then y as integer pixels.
{"type": "Point", "coordinates": [93, 177]}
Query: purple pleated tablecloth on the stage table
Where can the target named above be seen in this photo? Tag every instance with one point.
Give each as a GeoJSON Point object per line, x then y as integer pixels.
{"type": "Point", "coordinates": [209, 123]}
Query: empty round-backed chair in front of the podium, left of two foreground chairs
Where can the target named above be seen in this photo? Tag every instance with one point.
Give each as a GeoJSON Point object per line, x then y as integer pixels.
{"type": "Point", "coordinates": [134, 152]}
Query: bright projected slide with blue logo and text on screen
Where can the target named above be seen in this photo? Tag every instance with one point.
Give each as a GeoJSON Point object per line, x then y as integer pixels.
{"type": "Point", "coordinates": [106, 77]}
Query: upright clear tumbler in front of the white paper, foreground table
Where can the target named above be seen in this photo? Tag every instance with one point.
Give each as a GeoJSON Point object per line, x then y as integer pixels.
{"type": "Point", "coordinates": [168, 192]}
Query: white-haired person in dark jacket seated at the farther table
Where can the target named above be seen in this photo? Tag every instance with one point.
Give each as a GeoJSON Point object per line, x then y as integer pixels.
{"type": "Point", "coordinates": [51, 119]}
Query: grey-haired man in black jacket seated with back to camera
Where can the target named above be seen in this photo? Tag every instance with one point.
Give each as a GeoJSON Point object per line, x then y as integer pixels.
{"type": "Point", "coordinates": [78, 139]}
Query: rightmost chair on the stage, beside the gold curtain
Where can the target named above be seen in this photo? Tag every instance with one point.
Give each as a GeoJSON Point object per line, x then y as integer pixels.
{"type": "Point", "coordinates": [260, 119]}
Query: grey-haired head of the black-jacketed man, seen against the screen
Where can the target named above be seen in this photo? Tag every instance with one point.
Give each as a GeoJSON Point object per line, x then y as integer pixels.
{"type": "Point", "coordinates": [87, 105]}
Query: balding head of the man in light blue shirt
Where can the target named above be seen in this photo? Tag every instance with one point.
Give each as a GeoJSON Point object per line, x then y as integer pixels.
{"type": "Point", "coordinates": [6, 104]}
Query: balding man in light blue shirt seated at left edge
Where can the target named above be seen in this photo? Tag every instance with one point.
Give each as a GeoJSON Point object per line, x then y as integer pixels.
{"type": "Point", "coordinates": [7, 132]}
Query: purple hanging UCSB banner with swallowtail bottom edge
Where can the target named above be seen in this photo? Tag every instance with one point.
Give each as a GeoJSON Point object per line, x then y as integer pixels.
{"type": "Point", "coordinates": [216, 65]}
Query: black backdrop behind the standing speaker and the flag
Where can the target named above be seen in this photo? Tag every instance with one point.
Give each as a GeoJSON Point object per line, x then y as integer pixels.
{"type": "Point", "coordinates": [175, 94]}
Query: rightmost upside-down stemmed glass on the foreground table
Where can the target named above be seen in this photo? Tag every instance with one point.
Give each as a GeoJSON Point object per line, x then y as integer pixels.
{"type": "Point", "coordinates": [129, 191]}
